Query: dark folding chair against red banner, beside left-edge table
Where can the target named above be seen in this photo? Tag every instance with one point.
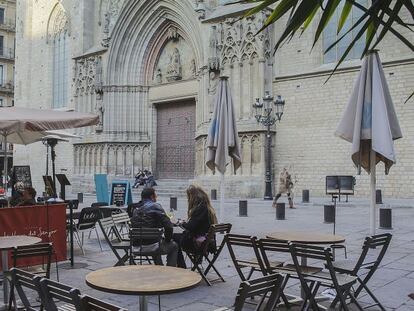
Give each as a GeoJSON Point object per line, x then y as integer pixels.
{"type": "Point", "coordinates": [39, 251]}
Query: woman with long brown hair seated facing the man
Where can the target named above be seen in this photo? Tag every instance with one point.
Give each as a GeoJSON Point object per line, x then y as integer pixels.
{"type": "Point", "coordinates": [200, 216]}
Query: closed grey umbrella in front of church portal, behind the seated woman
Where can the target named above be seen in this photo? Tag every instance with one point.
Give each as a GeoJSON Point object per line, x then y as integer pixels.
{"type": "Point", "coordinates": [223, 139]}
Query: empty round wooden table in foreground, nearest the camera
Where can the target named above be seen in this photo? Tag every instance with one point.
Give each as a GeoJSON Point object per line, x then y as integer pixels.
{"type": "Point", "coordinates": [143, 280]}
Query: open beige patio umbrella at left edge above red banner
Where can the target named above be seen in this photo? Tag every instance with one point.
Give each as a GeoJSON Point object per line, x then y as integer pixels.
{"type": "Point", "coordinates": [16, 121]}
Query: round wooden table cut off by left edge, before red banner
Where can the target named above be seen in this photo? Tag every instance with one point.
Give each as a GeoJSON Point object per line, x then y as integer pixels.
{"type": "Point", "coordinates": [7, 243]}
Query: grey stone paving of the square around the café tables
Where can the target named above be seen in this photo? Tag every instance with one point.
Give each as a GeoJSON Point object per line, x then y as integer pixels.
{"type": "Point", "coordinates": [392, 283]}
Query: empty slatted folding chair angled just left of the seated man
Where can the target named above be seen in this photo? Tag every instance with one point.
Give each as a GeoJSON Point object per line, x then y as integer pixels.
{"type": "Point", "coordinates": [107, 225]}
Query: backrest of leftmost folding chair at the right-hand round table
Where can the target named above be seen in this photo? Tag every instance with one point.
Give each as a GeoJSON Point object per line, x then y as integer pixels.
{"type": "Point", "coordinates": [236, 241]}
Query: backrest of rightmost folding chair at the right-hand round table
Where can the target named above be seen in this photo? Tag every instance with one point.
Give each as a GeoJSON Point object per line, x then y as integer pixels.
{"type": "Point", "coordinates": [380, 243]}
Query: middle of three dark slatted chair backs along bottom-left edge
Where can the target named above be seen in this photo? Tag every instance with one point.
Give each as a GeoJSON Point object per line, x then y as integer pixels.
{"type": "Point", "coordinates": [54, 291]}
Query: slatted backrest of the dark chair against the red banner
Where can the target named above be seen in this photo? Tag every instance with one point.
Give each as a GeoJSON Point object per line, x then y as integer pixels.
{"type": "Point", "coordinates": [41, 251]}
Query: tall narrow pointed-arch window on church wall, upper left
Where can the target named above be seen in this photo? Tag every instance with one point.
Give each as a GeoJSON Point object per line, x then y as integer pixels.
{"type": "Point", "coordinates": [59, 39]}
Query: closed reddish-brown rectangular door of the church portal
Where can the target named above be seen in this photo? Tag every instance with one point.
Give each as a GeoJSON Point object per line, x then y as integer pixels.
{"type": "Point", "coordinates": [175, 147]}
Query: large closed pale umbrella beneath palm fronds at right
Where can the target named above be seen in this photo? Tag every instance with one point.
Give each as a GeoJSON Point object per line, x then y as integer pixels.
{"type": "Point", "coordinates": [370, 123]}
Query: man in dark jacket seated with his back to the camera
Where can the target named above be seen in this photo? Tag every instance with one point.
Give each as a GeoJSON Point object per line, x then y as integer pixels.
{"type": "Point", "coordinates": [149, 214]}
